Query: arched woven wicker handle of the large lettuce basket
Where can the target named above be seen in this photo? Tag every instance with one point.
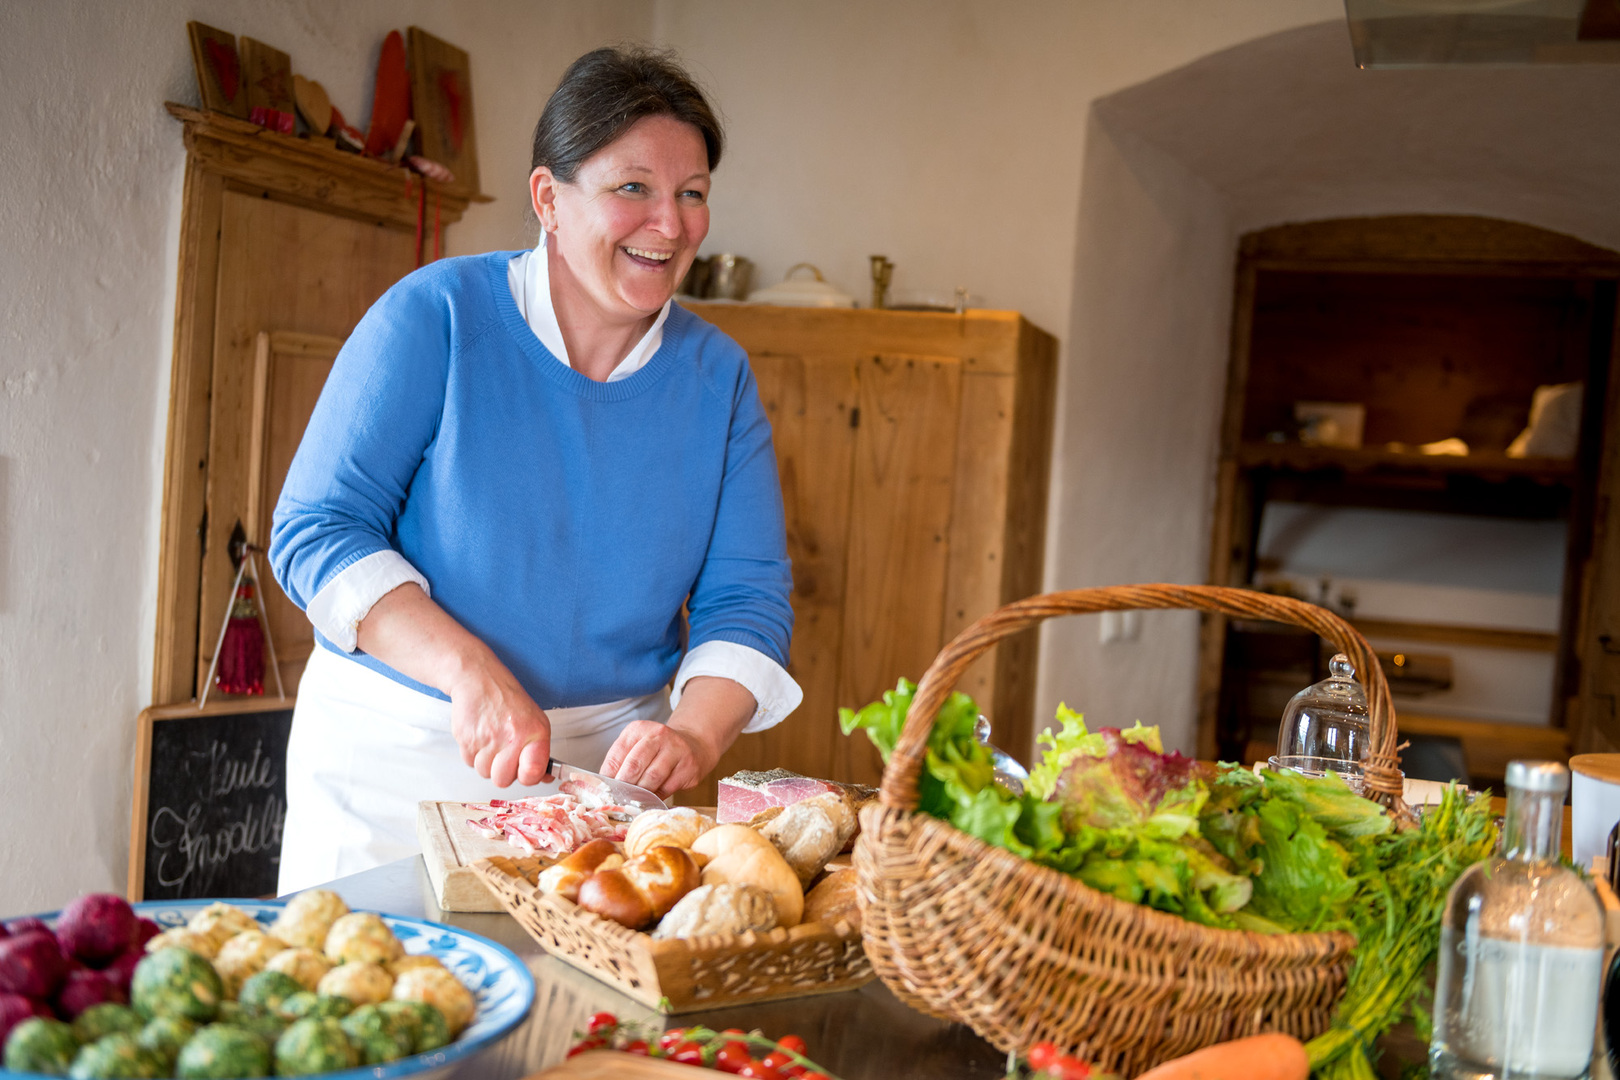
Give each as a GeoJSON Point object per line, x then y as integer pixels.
{"type": "Point", "coordinates": [1383, 768]}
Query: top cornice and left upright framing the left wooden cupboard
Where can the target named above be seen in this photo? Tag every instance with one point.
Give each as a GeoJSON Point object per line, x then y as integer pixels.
{"type": "Point", "coordinates": [228, 155]}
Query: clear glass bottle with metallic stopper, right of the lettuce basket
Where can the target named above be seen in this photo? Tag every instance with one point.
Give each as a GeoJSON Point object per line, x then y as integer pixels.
{"type": "Point", "coordinates": [1522, 948]}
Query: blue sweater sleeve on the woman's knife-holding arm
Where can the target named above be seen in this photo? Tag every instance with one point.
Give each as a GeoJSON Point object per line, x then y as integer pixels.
{"type": "Point", "coordinates": [372, 425]}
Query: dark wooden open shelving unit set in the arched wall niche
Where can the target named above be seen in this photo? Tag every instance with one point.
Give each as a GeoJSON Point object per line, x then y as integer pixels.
{"type": "Point", "coordinates": [1441, 328]}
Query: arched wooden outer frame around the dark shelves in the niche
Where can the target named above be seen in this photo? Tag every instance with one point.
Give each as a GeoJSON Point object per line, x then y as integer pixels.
{"type": "Point", "coordinates": [1420, 244]}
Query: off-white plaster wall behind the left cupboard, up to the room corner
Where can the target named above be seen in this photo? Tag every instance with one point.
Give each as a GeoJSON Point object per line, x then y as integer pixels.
{"type": "Point", "coordinates": [90, 192]}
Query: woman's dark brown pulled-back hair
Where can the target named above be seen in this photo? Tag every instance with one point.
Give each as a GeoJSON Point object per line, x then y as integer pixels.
{"type": "Point", "coordinates": [607, 91]}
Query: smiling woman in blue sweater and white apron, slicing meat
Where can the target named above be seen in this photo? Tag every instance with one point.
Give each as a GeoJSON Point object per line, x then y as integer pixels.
{"type": "Point", "coordinates": [521, 470]}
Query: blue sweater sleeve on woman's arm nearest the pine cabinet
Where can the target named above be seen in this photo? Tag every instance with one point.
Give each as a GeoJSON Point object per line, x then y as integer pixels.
{"type": "Point", "coordinates": [741, 595]}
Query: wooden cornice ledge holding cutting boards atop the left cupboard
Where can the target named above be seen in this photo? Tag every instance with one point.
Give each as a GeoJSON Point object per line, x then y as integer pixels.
{"type": "Point", "coordinates": [315, 172]}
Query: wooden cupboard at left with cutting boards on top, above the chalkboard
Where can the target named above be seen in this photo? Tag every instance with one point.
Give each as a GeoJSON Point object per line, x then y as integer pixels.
{"type": "Point", "coordinates": [284, 244]}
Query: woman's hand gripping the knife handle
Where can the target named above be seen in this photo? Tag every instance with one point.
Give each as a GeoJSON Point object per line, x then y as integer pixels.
{"type": "Point", "coordinates": [503, 734]}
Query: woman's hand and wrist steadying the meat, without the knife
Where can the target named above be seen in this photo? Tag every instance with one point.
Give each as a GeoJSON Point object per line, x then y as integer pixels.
{"type": "Point", "coordinates": [673, 757]}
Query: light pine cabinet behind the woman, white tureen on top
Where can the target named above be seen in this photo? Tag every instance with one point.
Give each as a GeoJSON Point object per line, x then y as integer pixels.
{"type": "Point", "coordinates": [914, 457]}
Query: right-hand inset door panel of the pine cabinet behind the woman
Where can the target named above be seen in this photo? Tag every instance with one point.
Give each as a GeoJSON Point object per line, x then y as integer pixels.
{"type": "Point", "coordinates": [900, 524]}
